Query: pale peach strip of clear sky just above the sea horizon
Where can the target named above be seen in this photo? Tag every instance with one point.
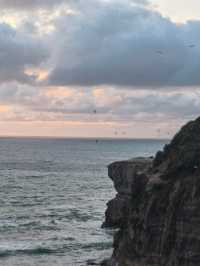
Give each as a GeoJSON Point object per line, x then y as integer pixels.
{"type": "Point", "coordinates": [96, 130]}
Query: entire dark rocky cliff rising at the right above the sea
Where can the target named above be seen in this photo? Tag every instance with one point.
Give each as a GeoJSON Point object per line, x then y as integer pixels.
{"type": "Point", "coordinates": [157, 208]}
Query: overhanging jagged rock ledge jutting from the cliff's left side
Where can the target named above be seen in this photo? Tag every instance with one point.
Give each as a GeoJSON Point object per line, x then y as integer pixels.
{"type": "Point", "coordinates": [128, 177]}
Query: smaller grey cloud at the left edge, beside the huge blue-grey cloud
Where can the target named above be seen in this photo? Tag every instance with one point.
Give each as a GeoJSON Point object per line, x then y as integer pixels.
{"type": "Point", "coordinates": [19, 51]}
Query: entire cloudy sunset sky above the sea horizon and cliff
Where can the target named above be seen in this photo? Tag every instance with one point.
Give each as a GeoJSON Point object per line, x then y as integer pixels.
{"type": "Point", "coordinates": [98, 68]}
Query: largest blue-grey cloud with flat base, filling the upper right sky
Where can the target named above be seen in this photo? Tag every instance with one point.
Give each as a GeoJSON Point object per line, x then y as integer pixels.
{"type": "Point", "coordinates": [126, 45]}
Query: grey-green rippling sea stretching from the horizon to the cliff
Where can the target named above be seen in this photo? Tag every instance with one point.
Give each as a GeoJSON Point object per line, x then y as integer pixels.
{"type": "Point", "coordinates": [53, 195]}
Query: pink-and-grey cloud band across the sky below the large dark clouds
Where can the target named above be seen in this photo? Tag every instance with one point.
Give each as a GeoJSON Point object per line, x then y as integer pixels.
{"type": "Point", "coordinates": [29, 103]}
